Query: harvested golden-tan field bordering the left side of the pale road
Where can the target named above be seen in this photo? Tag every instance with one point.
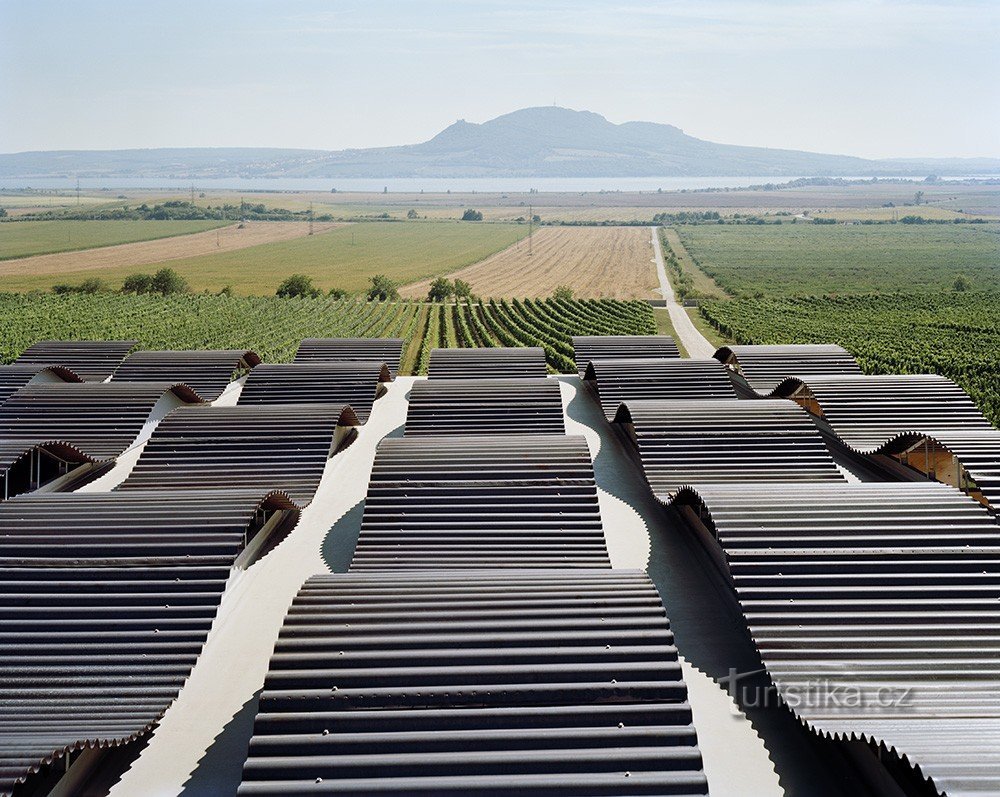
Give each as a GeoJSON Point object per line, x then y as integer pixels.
{"type": "Point", "coordinates": [610, 262]}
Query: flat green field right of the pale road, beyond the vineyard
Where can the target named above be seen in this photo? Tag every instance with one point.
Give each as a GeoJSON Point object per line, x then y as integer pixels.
{"type": "Point", "coordinates": [810, 259]}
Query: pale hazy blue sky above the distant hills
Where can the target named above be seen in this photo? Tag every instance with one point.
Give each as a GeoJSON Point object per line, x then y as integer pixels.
{"type": "Point", "coordinates": [858, 77]}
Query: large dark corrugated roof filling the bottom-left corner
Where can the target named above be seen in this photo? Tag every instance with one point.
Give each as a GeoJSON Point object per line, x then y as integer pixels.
{"type": "Point", "coordinates": [105, 603]}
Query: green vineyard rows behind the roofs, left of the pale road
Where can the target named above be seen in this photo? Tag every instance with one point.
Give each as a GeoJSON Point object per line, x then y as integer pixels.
{"type": "Point", "coordinates": [273, 327]}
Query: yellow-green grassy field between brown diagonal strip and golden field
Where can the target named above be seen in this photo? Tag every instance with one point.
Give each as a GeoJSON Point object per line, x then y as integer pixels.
{"type": "Point", "coordinates": [345, 257]}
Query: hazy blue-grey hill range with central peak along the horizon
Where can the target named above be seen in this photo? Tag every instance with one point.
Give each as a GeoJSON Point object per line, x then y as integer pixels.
{"type": "Point", "coordinates": [533, 142]}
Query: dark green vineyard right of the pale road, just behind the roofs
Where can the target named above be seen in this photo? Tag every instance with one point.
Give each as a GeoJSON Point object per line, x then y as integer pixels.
{"type": "Point", "coordinates": [955, 334]}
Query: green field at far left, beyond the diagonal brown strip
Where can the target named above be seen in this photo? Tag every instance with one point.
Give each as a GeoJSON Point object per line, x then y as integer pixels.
{"type": "Point", "coordinates": [24, 238]}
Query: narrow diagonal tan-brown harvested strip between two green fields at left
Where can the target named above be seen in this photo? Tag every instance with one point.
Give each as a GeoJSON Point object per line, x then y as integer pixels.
{"type": "Point", "coordinates": [32, 271]}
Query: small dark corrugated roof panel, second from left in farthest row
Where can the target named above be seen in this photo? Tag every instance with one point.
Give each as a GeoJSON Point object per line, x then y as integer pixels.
{"type": "Point", "coordinates": [206, 372]}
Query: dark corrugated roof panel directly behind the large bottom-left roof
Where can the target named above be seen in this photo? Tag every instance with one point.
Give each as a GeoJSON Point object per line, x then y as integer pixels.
{"type": "Point", "coordinates": [268, 447]}
